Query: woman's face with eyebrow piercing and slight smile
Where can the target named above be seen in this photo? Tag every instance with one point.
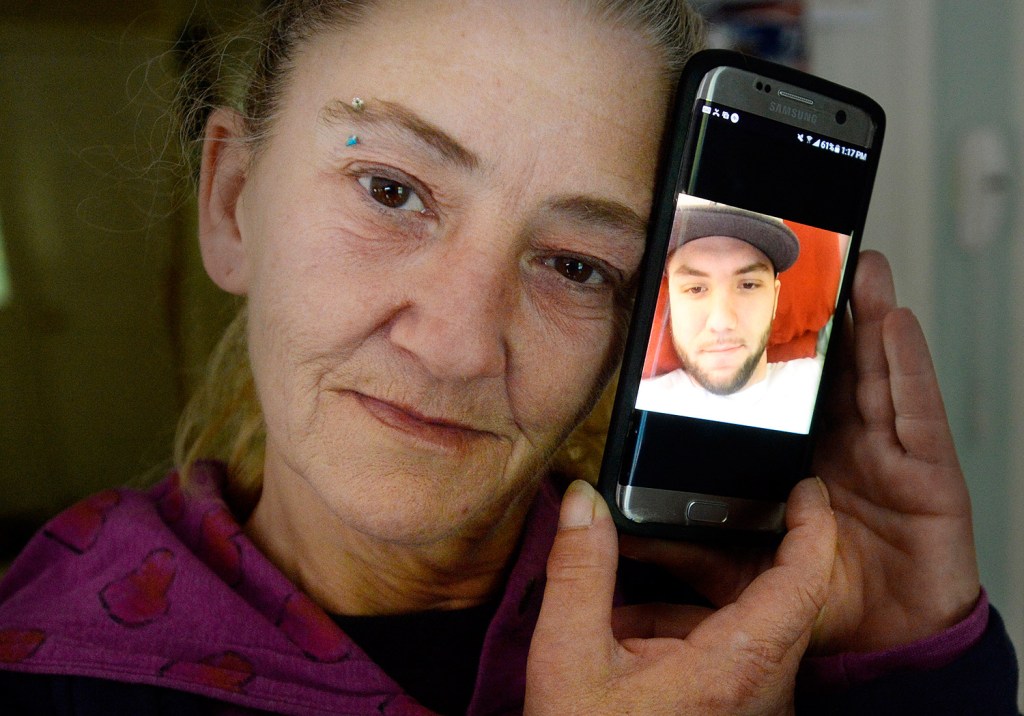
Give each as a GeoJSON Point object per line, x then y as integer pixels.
{"type": "Point", "coordinates": [433, 279]}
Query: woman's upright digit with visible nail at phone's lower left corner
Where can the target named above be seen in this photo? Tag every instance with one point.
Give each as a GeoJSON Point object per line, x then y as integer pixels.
{"type": "Point", "coordinates": [575, 625]}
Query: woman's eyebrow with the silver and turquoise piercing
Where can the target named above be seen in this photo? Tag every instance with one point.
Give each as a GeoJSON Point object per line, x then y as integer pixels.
{"type": "Point", "coordinates": [399, 117]}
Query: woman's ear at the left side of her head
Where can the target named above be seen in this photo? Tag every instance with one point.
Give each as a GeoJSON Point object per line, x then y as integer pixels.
{"type": "Point", "coordinates": [223, 177]}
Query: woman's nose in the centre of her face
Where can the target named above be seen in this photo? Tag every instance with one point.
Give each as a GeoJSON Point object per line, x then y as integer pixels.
{"type": "Point", "coordinates": [459, 310]}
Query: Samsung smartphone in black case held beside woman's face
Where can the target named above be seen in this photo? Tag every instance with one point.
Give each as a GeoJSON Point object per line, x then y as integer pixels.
{"type": "Point", "coordinates": [759, 208]}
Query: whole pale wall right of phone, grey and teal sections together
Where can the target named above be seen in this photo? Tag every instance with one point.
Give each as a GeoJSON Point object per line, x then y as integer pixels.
{"type": "Point", "coordinates": [943, 69]}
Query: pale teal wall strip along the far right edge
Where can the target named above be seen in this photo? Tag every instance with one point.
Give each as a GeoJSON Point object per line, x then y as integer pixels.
{"type": "Point", "coordinates": [980, 343]}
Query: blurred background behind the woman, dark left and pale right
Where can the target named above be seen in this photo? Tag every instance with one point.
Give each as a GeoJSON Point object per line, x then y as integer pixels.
{"type": "Point", "coordinates": [106, 316]}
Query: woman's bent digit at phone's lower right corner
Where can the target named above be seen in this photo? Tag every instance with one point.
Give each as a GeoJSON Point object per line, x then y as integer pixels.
{"type": "Point", "coordinates": [772, 621]}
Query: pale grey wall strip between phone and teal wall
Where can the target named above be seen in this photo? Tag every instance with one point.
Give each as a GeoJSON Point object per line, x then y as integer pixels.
{"type": "Point", "coordinates": [885, 50]}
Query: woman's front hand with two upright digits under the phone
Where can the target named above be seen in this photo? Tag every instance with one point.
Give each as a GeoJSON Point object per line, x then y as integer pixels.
{"type": "Point", "coordinates": [587, 658]}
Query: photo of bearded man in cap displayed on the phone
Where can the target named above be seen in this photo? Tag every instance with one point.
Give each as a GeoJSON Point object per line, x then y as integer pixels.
{"type": "Point", "coordinates": [746, 309]}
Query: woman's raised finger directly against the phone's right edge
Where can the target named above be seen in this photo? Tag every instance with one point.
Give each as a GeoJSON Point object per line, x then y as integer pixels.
{"type": "Point", "coordinates": [874, 299]}
